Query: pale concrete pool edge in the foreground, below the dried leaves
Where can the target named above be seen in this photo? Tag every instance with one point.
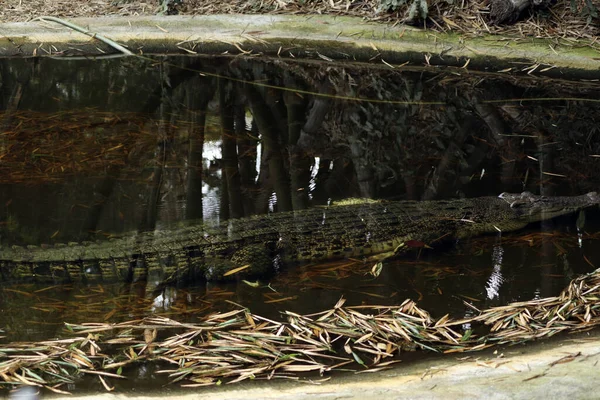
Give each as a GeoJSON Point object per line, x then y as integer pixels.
{"type": "Point", "coordinates": [545, 369]}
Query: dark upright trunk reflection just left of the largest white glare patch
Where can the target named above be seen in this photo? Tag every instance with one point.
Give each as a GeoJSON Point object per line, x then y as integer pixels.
{"type": "Point", "coordinates": [199, 94]}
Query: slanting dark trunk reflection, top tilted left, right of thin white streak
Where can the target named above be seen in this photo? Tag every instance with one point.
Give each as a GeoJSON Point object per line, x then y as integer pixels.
{"type": "Point", "coordinates": [271, 149]}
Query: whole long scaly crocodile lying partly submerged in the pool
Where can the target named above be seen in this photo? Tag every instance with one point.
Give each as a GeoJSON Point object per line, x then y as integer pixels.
{"type": "Point", "coordinates": [257, 245]}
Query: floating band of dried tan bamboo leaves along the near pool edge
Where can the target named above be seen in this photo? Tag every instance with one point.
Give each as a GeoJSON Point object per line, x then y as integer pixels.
{"type": "Point", "coordinates": [238, 345]}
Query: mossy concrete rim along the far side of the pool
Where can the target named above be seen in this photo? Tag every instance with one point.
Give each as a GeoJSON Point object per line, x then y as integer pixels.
{"type": "Point", "coordinates": [326, 38]}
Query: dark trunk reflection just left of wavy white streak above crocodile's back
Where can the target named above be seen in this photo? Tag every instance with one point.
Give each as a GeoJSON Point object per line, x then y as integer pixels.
{"type": "Point", "coordinates": [299, 162]}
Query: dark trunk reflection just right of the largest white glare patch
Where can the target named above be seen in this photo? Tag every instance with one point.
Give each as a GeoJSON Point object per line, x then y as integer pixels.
{"type": "Point", "coordinates": [231, 172]}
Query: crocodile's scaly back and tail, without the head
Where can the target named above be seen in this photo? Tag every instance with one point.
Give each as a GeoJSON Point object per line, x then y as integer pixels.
{"type": "Point", "coordinates": [312, 234]}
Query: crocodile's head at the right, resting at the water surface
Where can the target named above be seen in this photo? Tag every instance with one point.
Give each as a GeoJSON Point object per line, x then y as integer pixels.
{"type": "Point", "coordinates": [535, 208]}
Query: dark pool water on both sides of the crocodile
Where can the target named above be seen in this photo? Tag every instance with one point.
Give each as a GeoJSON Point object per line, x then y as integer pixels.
{"type": "Point", "coordinates": [92, 148]}
